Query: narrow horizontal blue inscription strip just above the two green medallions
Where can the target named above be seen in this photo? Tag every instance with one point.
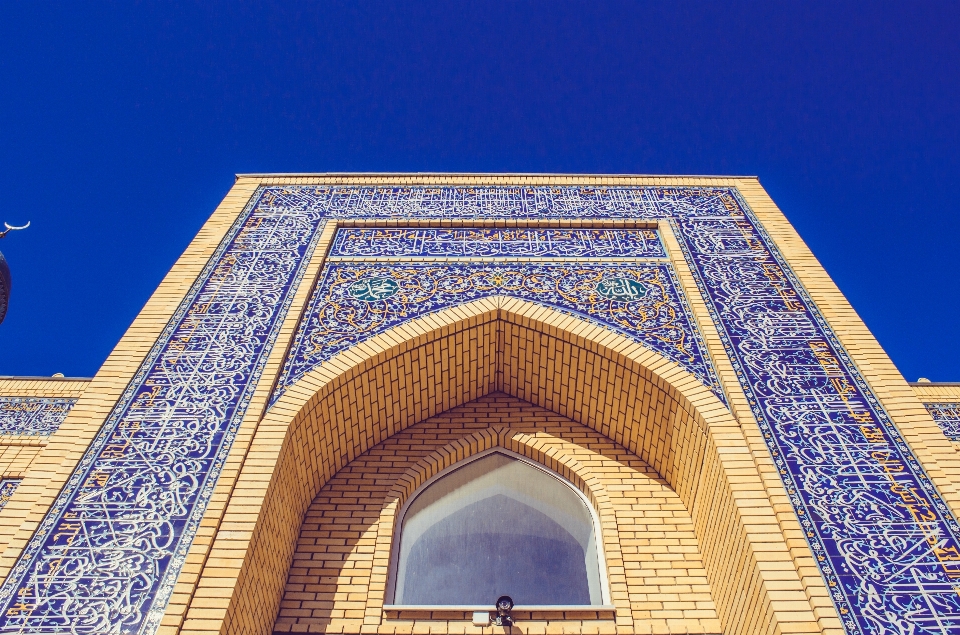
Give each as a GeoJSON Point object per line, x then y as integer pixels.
{"type": "Point", "coordinates": [490, 242]}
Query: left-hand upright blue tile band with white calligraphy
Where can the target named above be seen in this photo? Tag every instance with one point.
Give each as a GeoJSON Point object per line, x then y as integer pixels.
{"type": "Point", "coordinates": [106, 556]}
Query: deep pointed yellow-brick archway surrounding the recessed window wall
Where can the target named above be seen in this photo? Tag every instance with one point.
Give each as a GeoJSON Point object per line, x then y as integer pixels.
{"type": "Point", "coordinates": [591, 375]}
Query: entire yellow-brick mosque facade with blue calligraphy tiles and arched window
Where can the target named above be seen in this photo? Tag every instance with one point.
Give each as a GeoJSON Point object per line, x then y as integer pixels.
{"type": "Point", "coordinates": [476, 404]}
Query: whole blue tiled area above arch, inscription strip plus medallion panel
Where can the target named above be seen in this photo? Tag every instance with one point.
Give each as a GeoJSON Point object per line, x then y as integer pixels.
{"type": "Point", "coordinates": [617, 278]}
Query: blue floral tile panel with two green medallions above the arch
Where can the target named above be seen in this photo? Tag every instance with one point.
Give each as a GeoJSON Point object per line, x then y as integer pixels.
{"type": "Point", "coordinates": [355, 301]}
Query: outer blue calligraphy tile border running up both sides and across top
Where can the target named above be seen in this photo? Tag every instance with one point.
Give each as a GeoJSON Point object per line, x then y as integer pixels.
{"type": "Point", "coordinates": [883, 538]}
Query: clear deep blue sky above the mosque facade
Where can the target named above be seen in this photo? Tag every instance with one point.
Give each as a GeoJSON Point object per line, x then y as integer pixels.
{"type": "Point", "coordinates": [122, 125]}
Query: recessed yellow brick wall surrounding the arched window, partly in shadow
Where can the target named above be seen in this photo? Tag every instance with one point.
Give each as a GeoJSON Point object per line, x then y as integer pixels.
{"type": "Point", "coordinates": [657, 580]}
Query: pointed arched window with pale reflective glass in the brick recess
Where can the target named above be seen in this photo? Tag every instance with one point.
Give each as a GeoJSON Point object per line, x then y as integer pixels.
{"type": "Point", "coordinates": [497, 524]}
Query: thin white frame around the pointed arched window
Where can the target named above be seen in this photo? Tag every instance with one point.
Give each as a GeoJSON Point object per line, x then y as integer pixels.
{"type": "Point", "coordinates": [389, 595]}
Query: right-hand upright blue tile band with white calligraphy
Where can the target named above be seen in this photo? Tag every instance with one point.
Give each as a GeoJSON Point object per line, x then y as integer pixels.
{"type": "Point", "coordinates": [885, 541]}
